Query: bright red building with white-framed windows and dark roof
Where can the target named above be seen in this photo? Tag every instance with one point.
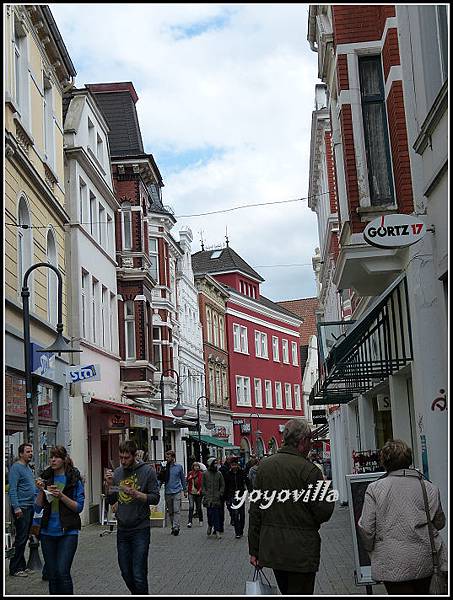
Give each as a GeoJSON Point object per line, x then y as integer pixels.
{"type": "Point", "coordinates": [264, 354]}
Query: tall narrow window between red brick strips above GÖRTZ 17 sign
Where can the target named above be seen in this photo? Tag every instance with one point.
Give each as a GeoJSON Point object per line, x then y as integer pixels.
{"type": "Point", "coordinates": [375, 130]}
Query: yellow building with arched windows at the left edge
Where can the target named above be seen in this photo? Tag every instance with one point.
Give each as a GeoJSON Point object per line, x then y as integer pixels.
{"type": "Point", "coordinates": [37, 70]}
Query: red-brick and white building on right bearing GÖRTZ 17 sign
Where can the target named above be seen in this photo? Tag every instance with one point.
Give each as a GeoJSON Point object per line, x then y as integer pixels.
{"type": "Point", "coordinates": [389, 301]}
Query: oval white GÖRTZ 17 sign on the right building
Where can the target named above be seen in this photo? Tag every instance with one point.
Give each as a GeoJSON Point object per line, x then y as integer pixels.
{"type": "Point", "coordinates": [394, 231]}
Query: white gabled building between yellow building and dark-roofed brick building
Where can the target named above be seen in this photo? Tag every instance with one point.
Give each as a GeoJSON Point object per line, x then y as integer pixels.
{"type": "Point", "coordinates": [92, 288]}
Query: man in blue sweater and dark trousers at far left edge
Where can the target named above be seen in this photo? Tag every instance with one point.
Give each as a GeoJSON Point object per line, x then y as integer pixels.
{"type": "Point", "coordinates": [22, 493]}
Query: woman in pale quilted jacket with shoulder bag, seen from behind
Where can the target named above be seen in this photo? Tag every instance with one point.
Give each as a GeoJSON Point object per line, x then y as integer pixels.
{"type": "Point", "coordinates": [394, 526]}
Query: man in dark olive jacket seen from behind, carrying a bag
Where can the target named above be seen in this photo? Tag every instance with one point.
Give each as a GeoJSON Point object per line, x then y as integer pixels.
{"type": "Point", "coordinates": [285, 535]}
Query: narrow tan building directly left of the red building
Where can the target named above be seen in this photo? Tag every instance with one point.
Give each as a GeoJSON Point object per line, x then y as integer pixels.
{"type": "Point", "coordinates": [212, 299]}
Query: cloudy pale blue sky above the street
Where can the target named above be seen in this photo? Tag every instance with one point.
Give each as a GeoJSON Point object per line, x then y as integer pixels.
{"type": "Point", "coordinates": [226, 93]}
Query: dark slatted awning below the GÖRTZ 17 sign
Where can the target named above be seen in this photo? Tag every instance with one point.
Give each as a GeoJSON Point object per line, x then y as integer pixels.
{"type": "Point", "coordinates": [375, 347]}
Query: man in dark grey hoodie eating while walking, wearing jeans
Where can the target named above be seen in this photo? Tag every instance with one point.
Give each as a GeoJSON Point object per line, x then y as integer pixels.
{"type": "Point", "coordinates": [133, 485]}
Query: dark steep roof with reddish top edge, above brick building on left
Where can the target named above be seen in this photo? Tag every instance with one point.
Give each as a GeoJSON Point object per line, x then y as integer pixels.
{"type": "Point", "coordinates": [117, 103]}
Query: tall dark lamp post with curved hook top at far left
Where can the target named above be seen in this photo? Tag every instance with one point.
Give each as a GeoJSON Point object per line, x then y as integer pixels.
{"type": "Point", "coordinates": [60, 345]}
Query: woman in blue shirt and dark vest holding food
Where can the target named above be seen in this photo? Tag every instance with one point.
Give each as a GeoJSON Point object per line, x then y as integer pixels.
{"type": "Point", "coordinates": [60, 523]}
